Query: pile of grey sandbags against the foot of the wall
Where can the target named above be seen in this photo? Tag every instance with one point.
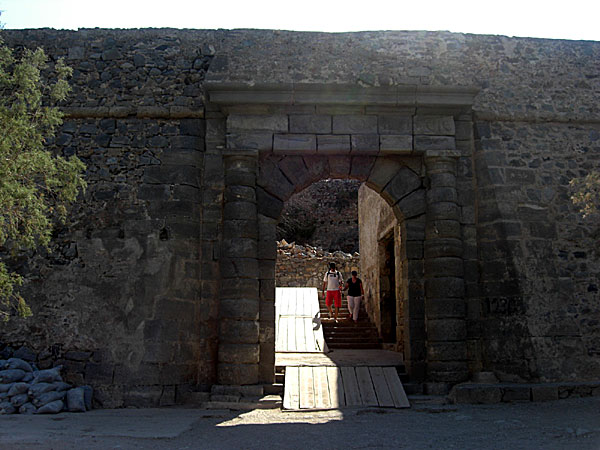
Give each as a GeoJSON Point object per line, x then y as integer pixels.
{"type": "Point", "coordinates": [26, 390]}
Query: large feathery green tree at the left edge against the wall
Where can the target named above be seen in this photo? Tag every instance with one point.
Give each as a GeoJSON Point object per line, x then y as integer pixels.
{"type": "Point", "coordinates": [36, 186]}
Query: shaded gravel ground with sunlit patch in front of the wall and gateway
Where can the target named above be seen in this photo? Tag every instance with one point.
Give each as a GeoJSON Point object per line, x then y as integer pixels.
{"type": "Point", "coordinates": [565, 424]}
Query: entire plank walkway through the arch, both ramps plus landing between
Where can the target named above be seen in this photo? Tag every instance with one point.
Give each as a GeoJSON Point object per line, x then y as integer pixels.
{"type": "Point", "coordinates": [314, 380]}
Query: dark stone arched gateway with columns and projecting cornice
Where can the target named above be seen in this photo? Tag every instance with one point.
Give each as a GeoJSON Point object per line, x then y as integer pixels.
{"type": "Point", "coordinates": [276, 140]}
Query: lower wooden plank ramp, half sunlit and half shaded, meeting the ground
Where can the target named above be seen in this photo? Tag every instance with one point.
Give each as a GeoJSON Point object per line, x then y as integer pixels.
{"type": "Point", "coordinates": [330, 387]}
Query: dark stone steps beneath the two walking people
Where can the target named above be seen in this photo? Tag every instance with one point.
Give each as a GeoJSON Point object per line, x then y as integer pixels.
{"type": "Point", "coordinates": [345, 334]}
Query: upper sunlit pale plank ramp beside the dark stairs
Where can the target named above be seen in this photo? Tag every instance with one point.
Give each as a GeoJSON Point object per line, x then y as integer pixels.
{"type": "Point", "coordinates": [298, 321]}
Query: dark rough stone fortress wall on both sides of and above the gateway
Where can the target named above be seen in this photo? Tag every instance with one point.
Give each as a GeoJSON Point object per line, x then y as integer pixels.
{"type": "Point", "coordinates": [135, 275]}
